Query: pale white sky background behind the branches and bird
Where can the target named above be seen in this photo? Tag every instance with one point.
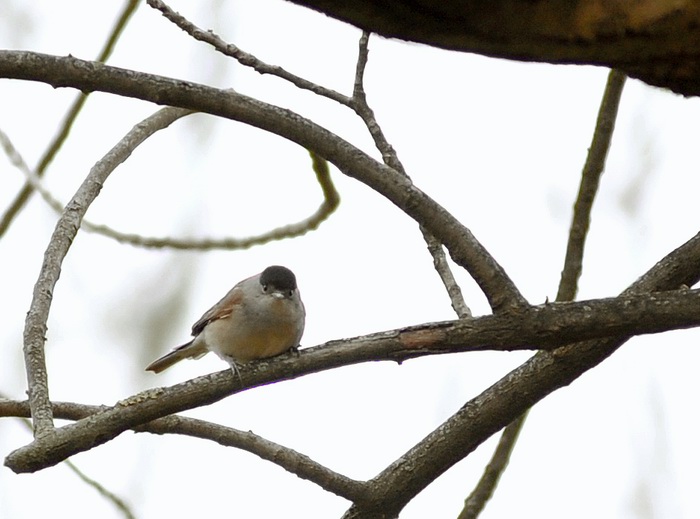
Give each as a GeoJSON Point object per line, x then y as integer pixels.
{"type": "Point", "coordinates": [499, 144]}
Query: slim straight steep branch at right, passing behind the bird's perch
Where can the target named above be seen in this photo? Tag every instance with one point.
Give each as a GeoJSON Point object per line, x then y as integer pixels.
{"type": "Point", "coordinates": [568, 285]}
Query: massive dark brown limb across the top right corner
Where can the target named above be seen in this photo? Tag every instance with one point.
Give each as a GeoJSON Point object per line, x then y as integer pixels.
{"type": "Point", "coordinates": [654, 41]}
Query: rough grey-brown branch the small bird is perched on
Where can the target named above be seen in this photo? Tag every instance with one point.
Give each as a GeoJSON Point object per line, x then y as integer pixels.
{"type": "Point", "coordinates": [546, 326]}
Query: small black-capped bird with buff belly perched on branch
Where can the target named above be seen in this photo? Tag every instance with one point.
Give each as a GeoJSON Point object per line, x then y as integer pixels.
{"type": "Point", "coordinates": [262, 316]}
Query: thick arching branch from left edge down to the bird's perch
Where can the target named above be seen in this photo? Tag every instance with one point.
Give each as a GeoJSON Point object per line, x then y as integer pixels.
{"type": "Point", "coordinates": [85, 75]}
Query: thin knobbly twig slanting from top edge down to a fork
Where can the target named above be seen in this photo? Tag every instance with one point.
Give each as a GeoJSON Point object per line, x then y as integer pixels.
{"type": "Point", "coordinates": [244, 58]}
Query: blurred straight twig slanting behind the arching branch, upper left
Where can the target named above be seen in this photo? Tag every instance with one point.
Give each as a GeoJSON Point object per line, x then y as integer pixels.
{"type": "Point", "coordinates": [23, 196]}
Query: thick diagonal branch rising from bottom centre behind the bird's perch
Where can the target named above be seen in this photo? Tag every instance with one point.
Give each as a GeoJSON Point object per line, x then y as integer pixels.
{"type": "Point", "coordinates": [511, 396]}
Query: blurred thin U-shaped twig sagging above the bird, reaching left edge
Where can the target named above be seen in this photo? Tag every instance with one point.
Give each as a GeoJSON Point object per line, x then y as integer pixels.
{"type": "Point", "coordinates": [331, 200]}
